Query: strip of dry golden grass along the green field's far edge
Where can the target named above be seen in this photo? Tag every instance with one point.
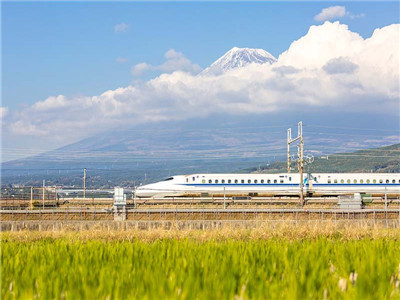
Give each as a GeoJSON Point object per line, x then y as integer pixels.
{"type": "Point", "coordinates": [345, 231]}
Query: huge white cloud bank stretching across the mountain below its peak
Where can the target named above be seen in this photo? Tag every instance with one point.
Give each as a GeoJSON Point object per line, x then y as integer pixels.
{"type": "Point", "coordinates": [328, 68]}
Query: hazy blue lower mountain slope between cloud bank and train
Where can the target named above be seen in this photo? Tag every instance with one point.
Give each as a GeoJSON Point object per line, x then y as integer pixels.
{"type": "Point", "coordinates": [216, 144]}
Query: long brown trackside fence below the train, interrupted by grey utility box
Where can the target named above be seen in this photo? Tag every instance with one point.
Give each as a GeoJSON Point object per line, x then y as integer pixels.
{"type": "Point", "coordinates": [206, 214]}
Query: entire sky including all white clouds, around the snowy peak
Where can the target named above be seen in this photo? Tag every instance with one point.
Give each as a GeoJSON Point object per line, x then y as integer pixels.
{"type": "Point", "coordinates": [70, 69]}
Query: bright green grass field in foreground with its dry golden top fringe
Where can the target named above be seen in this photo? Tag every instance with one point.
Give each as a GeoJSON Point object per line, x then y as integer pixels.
{"type": "Point", "coordinates": [198, 265]}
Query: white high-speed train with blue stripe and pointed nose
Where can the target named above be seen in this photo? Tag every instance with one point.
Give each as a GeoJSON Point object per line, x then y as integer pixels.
{"type": "Point", "coordinates": [272, 184]}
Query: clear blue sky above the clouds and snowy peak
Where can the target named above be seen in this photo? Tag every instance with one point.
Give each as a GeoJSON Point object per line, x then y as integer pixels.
{"type": "Point", "coordinates": [71, 48]}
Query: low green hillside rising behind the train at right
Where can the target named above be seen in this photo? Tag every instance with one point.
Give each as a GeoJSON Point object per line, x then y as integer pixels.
{"type": "Point", "coordinates": [383, 160]}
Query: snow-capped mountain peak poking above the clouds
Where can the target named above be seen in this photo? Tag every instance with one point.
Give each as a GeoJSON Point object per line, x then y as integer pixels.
{"type": "Point", "coordinates": [238, 58]}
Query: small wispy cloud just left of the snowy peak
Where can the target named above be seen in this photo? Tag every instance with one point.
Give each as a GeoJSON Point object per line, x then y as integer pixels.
{"type": "Point", "coordinates": [174, 61]}
